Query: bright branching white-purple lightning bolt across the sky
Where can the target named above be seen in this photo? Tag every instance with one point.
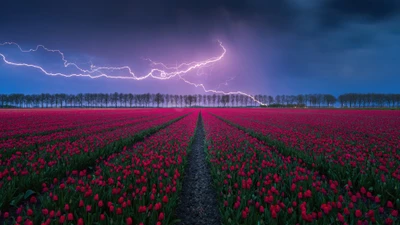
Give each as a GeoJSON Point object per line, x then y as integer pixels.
{"type": "Point", "coordinates": [163, 72]}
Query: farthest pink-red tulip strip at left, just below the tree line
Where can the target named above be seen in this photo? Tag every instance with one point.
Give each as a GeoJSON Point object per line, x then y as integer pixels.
{"type": "Point", "coordinates": [27, 122]}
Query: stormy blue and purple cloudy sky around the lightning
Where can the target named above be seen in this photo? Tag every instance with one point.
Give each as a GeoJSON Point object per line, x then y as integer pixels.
{"type": "Point", "coordinates": [274, 47]}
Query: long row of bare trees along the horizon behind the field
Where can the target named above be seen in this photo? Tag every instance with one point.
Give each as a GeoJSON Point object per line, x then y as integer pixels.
{"type": "Point", "coordinates": [100, 100]}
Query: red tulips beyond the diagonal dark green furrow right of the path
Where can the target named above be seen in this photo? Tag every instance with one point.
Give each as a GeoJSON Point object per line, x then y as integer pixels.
{"type": "Point", "coordinates": [361, 146]}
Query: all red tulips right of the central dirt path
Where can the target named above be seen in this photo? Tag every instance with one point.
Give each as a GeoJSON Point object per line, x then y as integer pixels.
{"type": "Point", "coordinates": [306, 166]}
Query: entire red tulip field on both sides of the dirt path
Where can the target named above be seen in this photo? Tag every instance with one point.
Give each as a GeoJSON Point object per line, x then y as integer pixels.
{"type": "Point", "coordinates": [268, 166]}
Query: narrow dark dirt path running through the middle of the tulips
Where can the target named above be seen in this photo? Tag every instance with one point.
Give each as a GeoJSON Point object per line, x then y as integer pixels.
{"type": "Point", "coordinates": [198, 202]}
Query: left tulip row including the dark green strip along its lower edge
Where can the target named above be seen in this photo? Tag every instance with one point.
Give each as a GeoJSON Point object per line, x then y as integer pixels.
{"type": "Point", "coordinates": [28, 171]}
